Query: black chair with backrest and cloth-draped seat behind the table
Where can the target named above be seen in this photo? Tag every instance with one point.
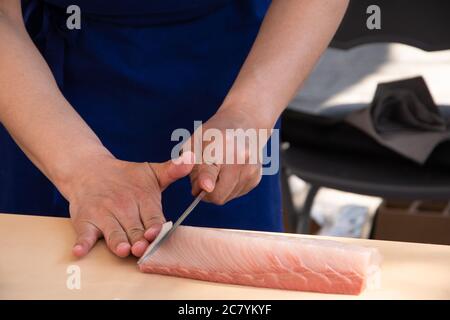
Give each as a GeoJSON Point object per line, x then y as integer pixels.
{"type": "Point", "coordinates": [359, 164]}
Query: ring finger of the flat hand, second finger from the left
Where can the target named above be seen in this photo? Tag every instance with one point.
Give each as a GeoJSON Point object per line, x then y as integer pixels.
{"type": "Point", "coordinates": [115, 236]}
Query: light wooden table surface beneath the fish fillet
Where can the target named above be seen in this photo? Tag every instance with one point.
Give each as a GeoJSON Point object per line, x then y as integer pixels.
{"type": "Point", "coordinates": [36, 255]}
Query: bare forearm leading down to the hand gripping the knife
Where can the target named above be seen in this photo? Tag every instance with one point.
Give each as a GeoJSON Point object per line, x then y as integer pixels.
{"type": "Point", "coordinates": [292, 37]}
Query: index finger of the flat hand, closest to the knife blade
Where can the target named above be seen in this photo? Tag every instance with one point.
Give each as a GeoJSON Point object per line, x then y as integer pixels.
{"type": "Point", "coordinates": [152, 217]}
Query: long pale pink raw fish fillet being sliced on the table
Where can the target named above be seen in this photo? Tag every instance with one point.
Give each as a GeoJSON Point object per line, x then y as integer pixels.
{"type": "Point", "coordinates": [265, 260]}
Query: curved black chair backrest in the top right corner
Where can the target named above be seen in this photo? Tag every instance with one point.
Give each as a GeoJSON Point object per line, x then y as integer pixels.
{"type": "Point", "coordinates": [422, 24]}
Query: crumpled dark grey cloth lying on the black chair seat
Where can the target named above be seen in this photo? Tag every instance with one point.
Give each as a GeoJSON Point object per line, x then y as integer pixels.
{"type": "Point", "coordinates": [403, 117]}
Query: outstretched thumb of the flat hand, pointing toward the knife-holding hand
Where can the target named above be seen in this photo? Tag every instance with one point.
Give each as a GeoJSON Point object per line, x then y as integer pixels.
{"type": "Point", "coordinates": [172, 170]}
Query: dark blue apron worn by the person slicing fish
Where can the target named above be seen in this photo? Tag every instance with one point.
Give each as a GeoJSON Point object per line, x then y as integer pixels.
{"type": "Point", "coordinates": [135, 71]}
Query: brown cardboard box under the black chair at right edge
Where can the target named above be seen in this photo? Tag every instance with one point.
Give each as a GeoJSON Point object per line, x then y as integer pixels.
{"type": "Point", "coordinates": [417, 221]}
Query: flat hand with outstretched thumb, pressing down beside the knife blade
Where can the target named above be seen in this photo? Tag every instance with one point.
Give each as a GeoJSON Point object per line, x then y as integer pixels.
{"type": "Point", "coordinates": [121, 201]}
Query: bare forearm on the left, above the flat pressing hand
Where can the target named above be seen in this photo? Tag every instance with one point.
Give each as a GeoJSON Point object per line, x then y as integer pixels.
{"type": "Point", "coordinates": [35, 112]}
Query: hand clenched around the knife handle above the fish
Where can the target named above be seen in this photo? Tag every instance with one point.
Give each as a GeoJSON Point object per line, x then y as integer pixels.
{"type": "Point", "coordinates": [224, 181]}
